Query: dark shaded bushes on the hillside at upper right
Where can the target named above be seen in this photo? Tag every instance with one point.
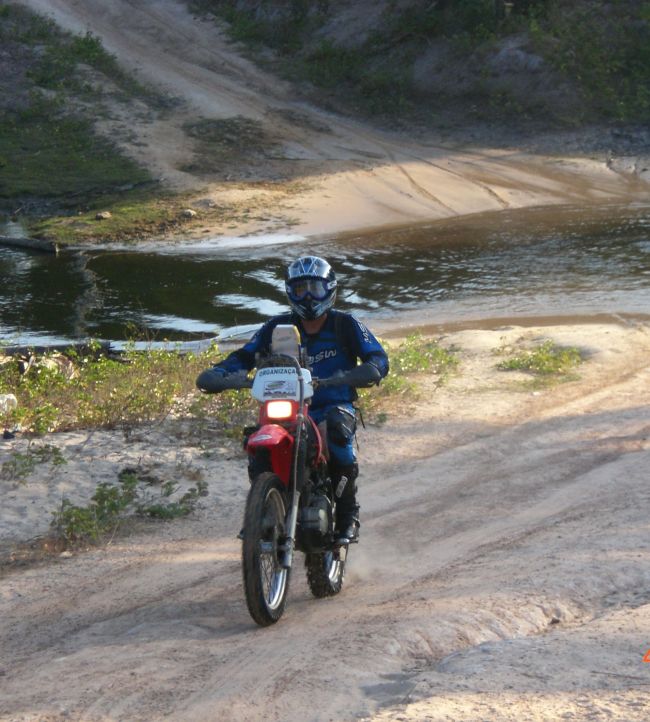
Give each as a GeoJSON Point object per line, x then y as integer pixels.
{"type": "Point", "coordinates": [600, 48]}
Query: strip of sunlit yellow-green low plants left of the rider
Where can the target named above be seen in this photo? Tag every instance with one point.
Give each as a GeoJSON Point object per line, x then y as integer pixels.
{"type": "Point", "coordinates": [111, 392]}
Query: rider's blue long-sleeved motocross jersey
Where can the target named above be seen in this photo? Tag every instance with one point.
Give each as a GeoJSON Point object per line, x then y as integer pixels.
{"type": "Point", "coordinates": [327, 352]}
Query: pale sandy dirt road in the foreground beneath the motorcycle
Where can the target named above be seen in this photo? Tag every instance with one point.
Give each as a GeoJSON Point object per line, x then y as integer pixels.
{"type": "Point", "coordinates": [503, 570]}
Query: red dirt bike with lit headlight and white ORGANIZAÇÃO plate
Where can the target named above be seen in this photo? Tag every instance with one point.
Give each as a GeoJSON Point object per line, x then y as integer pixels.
{"type": "Point", "coordinates": [291, 505]}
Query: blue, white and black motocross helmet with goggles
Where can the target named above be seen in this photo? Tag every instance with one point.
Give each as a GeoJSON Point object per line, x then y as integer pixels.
{"type": "Point", "coordinates": [311, 287]}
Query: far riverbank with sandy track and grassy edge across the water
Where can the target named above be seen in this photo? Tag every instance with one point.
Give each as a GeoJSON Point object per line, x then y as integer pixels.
{"type": "Point", "coordinates": [267, 162]}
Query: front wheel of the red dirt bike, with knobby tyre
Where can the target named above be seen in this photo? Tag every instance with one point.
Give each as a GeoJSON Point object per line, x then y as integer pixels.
{"type": "Point", "coordinates": [266, 581]}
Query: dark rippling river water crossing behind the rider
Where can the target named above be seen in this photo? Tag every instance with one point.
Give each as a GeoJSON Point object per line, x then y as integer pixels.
{"type": "Point", "coordinates": [539, 262]}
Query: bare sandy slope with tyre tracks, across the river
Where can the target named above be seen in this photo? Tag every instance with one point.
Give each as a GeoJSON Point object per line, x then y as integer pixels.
{"type": "Point", "coordinates": [352, 176]}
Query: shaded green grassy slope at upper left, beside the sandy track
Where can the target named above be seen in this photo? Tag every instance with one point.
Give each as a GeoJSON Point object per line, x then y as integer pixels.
{"type": "Point", "coordinates": [50, 154]}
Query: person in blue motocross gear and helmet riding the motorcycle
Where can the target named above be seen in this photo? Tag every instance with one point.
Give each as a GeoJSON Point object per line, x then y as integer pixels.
{"type": "Point", "coordinates": [334, 341]}
